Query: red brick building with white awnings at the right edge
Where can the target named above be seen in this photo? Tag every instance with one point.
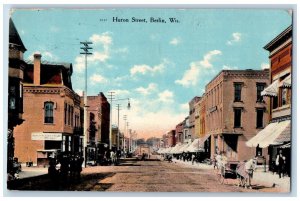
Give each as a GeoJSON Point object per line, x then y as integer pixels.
{"type": "Point", "coordinates": [277, 135]}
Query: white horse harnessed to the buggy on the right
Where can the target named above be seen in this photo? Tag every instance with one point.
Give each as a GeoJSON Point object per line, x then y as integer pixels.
{"type": "Point", "coordinates": [245, 171]}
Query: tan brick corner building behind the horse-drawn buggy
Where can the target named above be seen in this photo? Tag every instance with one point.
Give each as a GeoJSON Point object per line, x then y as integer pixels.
{"type": "Point", "coordinates": [235, 110]}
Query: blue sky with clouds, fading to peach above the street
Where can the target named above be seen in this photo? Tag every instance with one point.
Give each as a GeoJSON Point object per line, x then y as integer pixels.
{"type": "Point", "coordinates": [159, 66]}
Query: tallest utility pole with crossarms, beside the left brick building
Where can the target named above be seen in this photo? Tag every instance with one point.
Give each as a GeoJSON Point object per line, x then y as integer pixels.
{"type": "Point", "coordinates": [86, 52]}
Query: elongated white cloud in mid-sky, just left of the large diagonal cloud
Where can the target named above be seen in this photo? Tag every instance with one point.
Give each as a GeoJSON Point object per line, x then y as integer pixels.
{"type": "Point", "coordinates": [145, 69]}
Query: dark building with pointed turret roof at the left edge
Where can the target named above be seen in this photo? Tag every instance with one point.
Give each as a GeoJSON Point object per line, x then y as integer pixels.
{"type": "Point", "coordinates": [15, 89]}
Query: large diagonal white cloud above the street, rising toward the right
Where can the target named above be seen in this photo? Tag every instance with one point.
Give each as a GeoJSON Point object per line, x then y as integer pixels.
{"type": "Point", "coordinates": [191, 76]}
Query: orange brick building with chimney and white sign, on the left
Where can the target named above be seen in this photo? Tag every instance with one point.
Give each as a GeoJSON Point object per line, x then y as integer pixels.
{"type": "Point", "coordinates": [52, 113]}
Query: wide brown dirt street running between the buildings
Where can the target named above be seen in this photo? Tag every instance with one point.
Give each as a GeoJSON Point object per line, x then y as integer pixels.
{"type": "Point", "coordinates": [143, 176]}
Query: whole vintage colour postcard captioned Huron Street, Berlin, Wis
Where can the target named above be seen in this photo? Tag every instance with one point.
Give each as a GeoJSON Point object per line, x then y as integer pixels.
{"type": "Point", "coordinates": [150, 100]}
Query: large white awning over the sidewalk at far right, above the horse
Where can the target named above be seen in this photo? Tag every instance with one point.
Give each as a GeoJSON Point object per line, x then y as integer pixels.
{"type": "Point", "coordinates": [269, 135]}
